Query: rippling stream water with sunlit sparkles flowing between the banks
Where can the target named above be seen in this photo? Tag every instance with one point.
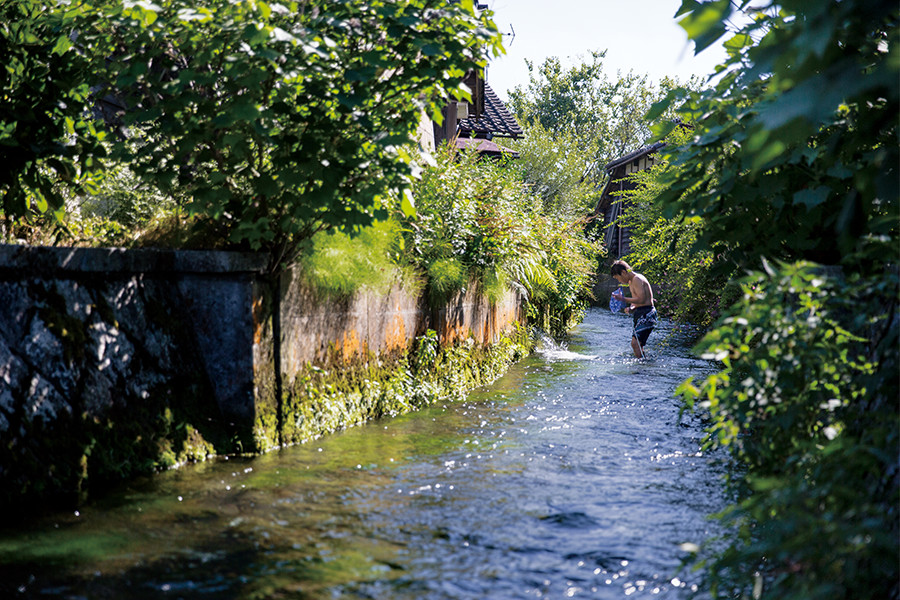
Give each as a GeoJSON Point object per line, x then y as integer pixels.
{"type": "Point", "coordinates": [571, 476]}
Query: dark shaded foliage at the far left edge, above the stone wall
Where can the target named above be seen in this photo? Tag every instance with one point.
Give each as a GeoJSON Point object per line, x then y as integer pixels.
{"type": "Point", "coordinates": [47, 137]}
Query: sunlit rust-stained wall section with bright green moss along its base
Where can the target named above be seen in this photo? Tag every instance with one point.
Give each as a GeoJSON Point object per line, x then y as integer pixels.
{"type": "Point", "coordinates": [343, 363]}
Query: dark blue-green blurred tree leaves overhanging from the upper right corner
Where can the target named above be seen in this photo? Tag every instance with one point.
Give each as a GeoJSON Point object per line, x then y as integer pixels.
{"type": "Point", "coordinates": [797, 156]}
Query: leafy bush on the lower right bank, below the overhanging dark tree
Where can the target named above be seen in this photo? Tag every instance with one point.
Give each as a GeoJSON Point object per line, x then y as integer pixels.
{"type": "Point", "coordinates": [807, 400]}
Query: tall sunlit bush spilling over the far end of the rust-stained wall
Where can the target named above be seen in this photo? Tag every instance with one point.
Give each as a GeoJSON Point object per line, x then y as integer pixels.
{"type": "Point", "coordinates": [477, 221]}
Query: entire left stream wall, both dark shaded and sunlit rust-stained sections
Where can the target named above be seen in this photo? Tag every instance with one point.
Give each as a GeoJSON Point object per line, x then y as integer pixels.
{"type": "Point", "coordinates": [118, 363]}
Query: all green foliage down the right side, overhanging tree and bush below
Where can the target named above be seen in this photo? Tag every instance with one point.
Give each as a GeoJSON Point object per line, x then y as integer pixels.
{"type": "Point", "coordinates": [792, 176]}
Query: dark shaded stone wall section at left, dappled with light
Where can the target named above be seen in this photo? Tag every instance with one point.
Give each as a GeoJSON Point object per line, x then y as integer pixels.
{"type": "Point", "coordinates": [113, 365]}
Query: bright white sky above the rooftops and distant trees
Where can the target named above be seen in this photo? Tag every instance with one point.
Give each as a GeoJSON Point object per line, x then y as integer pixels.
{"type": "Point", "coordinates": [638, 35]}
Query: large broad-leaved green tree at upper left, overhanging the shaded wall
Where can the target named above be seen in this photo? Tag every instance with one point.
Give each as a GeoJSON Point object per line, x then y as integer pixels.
{"type": "Point", "coordinates": [273, 120]}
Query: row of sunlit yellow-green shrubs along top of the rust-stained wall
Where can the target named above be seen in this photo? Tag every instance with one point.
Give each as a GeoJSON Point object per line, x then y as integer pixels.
{"type": "Point", "coordinates": [475, 221]}
